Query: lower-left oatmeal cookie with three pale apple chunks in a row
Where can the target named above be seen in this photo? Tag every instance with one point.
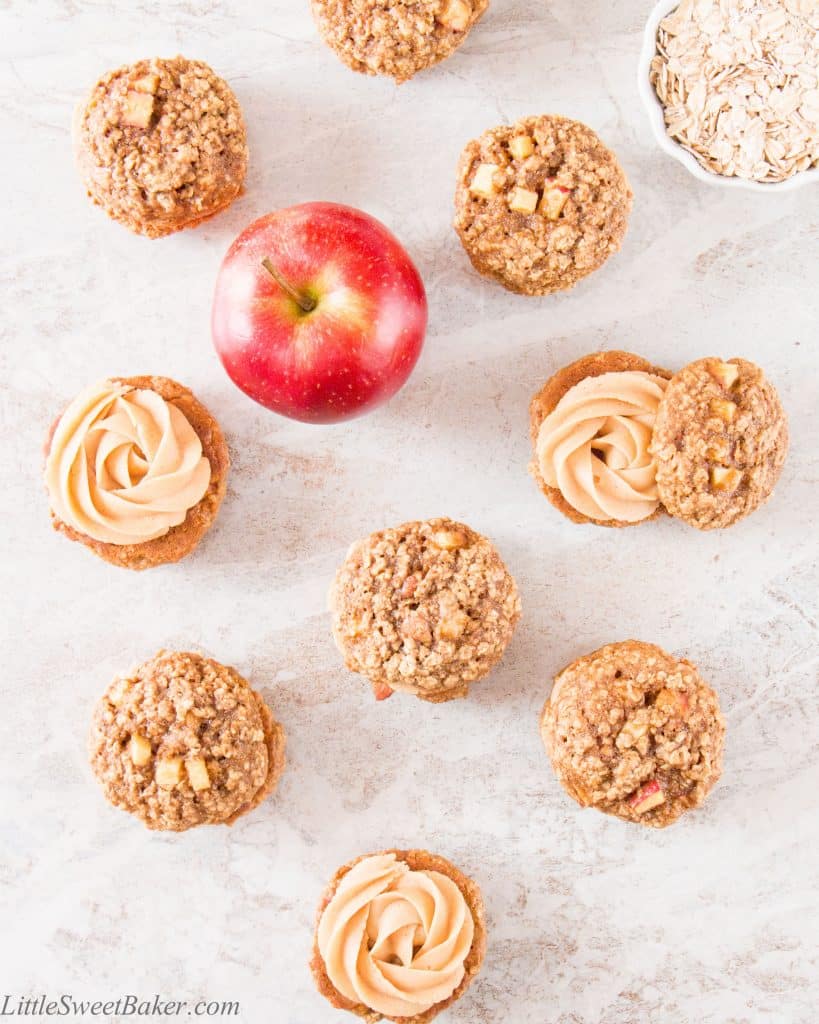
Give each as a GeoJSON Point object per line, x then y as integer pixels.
{"type": "Point", "coordinates": [183, 741]}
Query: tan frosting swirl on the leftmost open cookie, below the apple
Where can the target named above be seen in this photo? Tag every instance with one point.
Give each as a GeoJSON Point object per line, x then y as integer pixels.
{"type": "Point", "coordinates": [124, 465]}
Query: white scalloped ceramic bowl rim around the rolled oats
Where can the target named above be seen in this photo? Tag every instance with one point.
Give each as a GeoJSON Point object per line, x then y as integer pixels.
{"type": "Point", "coordinates": [666, 143]}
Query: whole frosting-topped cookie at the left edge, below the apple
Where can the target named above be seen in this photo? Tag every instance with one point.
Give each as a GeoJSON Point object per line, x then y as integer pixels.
{"type": "Point", "coordinates": [137, 470]}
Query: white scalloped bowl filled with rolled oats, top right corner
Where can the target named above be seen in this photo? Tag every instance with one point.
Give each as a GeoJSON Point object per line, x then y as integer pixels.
{"type": "Point", "coordinates": [731, 89]}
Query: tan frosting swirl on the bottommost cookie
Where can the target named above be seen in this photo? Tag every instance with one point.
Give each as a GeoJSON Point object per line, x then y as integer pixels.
{"type": "Point", "coordinates": [396, 940]}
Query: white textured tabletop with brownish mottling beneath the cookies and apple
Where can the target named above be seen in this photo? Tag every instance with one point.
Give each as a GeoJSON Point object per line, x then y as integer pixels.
{"type": "Point", "coordinates": [591, 921]}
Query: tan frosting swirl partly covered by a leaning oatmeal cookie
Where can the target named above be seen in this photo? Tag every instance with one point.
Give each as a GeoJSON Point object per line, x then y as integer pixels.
{"type": "Point", "coordinates": [593, 447]}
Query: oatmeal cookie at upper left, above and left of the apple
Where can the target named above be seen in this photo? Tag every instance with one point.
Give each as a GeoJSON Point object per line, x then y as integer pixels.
{"type": "Point", "coordinates": [161, 145]}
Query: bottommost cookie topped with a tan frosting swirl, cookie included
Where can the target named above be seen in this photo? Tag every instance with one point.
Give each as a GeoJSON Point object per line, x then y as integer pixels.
{"type": "Point", "coordinates": [400, 935]}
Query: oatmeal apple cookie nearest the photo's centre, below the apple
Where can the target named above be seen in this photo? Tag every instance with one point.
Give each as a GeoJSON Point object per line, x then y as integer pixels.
{"type": "Point", "coordinates": [427, 608]}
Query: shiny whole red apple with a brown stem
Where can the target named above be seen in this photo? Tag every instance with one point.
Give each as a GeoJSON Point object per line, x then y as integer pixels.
{"type": "Point", "coordinates": [319, 313]}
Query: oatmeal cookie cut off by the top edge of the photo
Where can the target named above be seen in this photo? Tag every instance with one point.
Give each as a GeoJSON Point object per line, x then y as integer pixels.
{"type": "Point", "coordinates": [396, 37]}
